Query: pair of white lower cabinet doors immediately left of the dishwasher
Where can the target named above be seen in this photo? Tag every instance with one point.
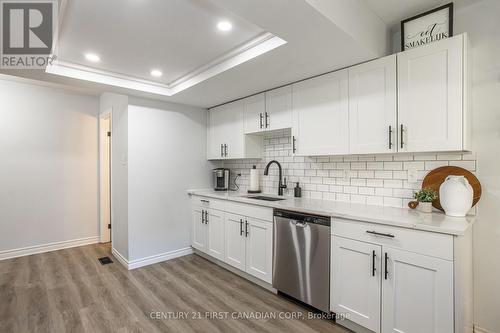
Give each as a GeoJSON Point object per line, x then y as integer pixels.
{"type": "Point", "coordinates": [249, 245]}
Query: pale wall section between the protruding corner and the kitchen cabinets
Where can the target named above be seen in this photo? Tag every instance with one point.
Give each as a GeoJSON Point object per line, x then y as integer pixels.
{"type": "Point", "coordinates": [166, 156]}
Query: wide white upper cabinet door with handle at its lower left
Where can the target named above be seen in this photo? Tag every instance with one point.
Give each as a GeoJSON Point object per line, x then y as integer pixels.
{"type": "Point", "coordinates": [321, 115]}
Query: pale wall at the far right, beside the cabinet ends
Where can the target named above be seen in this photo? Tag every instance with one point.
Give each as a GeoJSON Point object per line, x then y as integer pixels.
{"type": "Point", "coordinates": [481, 21]}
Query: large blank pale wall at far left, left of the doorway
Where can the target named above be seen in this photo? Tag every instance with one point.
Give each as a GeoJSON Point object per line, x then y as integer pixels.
{"type": "Point", "coordinates": [48, 165]}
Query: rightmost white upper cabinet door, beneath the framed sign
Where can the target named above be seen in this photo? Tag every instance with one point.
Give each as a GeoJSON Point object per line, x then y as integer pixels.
{"type": "Point", "coordinates": [431, 89]}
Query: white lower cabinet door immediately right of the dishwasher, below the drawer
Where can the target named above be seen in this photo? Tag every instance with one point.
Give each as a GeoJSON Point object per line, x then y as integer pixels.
{"type": "Point", "coordinates": [356, 277]}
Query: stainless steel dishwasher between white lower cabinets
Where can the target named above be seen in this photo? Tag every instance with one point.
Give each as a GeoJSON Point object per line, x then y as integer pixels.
{"type": "Point", "coordinates": [301, 263]}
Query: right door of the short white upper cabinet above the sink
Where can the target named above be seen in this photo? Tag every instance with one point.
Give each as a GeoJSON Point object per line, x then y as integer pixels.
{"type": "Point", "coordinates": [278, 113]}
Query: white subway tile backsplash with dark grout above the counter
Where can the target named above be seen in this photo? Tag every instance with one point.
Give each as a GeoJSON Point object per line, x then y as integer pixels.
{"type": "Point", "coordinates": [370, 179]}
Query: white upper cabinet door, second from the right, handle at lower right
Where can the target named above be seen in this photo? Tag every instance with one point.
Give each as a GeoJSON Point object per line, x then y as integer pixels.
{"type": "Point", "coordinates": [372, 107]}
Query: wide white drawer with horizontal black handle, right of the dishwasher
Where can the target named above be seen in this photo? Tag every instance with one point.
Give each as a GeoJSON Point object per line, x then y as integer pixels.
{"type": "Point", "coordinates": [423, 242]}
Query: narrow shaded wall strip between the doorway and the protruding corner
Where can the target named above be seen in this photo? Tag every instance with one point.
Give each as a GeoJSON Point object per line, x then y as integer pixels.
{"type": "Point", "coordinates": [118, 106]}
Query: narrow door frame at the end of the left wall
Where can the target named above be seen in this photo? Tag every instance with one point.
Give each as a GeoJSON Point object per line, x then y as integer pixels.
{"type": "Point", "coordinates": [105, 160]}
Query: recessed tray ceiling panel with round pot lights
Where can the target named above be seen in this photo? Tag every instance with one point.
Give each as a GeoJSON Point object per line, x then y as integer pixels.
{"type": "Point", "coordinates": [132, 37]}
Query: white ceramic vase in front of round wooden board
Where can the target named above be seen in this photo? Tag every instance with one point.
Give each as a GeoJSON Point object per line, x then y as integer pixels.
{"type": "Point", "coordinates": [456, 196]}
